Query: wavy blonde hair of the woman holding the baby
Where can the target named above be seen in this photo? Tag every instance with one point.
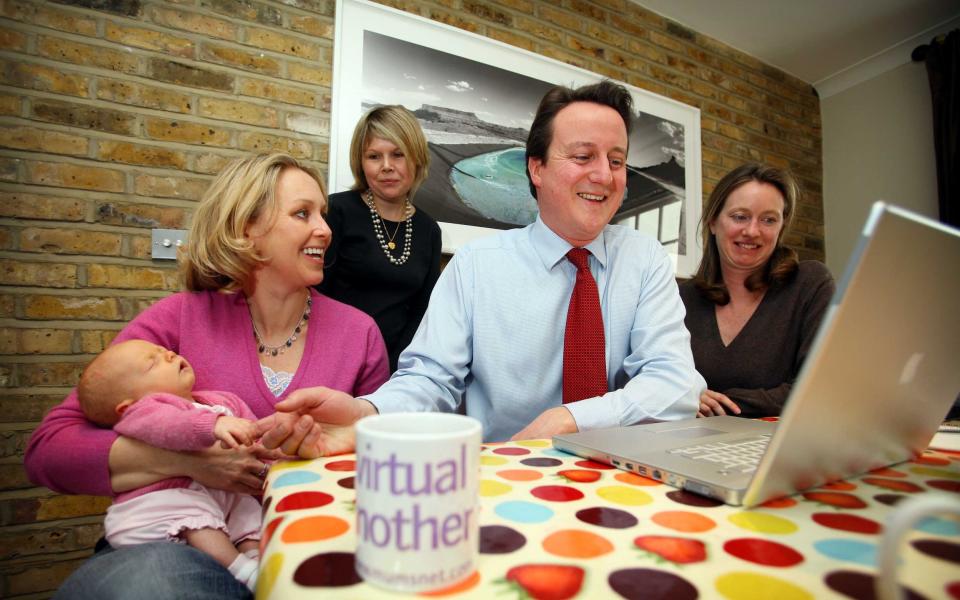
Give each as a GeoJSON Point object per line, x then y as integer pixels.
{"type": "Point", "coordinates": [218, 256]}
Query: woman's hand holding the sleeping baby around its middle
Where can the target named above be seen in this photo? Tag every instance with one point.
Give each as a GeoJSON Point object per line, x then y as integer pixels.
{"type": "Point", "coordinates": [241, 470]}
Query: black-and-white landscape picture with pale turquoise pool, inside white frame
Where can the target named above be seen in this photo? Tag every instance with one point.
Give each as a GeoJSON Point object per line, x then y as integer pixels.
{"type": "Point", "coordinates": [476, 118]}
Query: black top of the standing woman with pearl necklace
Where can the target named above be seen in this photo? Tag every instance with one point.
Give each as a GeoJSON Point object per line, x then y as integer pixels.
{"type": "Point", "coordinates": [358, 273]}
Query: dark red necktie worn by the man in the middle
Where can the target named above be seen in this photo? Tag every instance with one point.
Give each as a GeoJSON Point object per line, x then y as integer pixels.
{"type": "Point", "coordinates": [584, 350]}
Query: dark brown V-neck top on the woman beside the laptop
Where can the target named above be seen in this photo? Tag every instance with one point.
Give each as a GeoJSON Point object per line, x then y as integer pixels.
{"type": "Point", "coordinates": [758, 368]}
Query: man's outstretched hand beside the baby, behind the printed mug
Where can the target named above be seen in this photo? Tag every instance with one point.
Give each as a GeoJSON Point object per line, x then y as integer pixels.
{"type": "Point", "coordinates": [314, 422]}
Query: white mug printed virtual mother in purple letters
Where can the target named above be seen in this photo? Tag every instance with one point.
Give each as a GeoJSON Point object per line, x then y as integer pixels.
{"type": "Point", "coordinates": [417, 488]}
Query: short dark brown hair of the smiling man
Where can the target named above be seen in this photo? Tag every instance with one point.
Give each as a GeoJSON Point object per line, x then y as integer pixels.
{"type": "Point", "coordinates": [605, 93]}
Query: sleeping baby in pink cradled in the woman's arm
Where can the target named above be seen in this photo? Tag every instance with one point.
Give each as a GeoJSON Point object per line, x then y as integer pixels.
{"type": "Point", "coordinates": [145, 391]}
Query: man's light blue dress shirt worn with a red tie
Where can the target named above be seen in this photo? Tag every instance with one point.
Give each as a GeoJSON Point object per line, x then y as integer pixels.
{"type": "Point", "coordinates": [492, 336]}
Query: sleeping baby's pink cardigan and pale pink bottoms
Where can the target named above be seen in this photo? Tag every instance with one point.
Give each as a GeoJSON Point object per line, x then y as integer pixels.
{"type": "Point", "coordinates": [160, 512]}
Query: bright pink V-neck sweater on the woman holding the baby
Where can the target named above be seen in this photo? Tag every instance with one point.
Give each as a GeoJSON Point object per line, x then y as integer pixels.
{"type": "Point", "coordinates": [343, 350]}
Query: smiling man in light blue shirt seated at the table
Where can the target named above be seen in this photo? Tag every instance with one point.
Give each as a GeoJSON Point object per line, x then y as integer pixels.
{"type": "Point", "coordinates": [492, 338]}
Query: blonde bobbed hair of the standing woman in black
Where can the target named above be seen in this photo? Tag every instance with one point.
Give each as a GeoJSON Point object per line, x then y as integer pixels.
{"type": "Point", "coordinates": [398, 126]}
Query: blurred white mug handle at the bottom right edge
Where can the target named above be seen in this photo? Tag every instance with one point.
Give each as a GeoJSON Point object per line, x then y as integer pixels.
{"type": "Point", "coordinates": [904, 518]}
